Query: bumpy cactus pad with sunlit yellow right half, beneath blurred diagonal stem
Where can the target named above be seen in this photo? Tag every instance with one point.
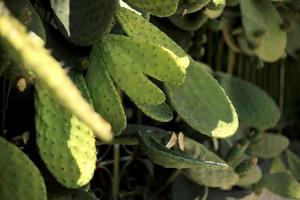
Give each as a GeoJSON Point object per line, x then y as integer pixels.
{"type": "Point", "coordinates": [66, 145]}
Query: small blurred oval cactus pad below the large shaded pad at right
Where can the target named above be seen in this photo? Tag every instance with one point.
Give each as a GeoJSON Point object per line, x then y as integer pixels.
{"type": "Point", "coordinates": [269, 145]}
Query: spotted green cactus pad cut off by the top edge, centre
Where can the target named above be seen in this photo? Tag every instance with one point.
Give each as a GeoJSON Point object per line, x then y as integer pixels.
{"type": "Point", "coordinates": [160, 8]}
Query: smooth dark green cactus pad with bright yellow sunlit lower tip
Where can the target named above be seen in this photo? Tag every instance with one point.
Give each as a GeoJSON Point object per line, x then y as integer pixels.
{"type": "Point", "coordinates": [202, 103]}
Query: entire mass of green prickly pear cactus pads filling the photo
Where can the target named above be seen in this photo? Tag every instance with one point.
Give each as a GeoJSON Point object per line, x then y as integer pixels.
{"type": "Point", "coordinates": [128, 56]}
